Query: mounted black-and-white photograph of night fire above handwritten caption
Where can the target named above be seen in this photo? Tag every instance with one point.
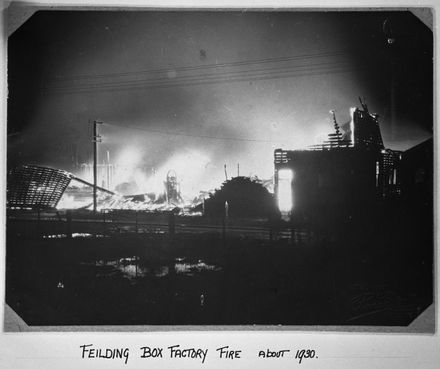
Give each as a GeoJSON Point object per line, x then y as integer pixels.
{"type": "Point", "coordinates": [220, 168]}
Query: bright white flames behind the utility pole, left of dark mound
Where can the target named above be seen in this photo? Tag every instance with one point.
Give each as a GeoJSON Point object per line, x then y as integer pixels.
{"type": "Point", "coordinates": [128, 175]}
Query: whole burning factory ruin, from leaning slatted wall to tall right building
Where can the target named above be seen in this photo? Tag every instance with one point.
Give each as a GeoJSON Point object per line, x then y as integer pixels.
{"type": "Point", "coordinates": [351, 166]}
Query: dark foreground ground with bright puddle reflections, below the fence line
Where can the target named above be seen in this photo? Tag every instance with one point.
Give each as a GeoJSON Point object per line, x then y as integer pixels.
{"type": "Point", "coordinates": [376, 273]}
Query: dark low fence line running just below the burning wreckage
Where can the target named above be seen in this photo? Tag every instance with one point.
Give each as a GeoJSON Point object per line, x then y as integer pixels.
{"type": "Point", "coordinates": [138, 222]}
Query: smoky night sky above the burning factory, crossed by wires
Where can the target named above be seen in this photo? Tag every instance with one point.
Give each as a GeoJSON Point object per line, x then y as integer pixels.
{"type": "Point", "coordinates": [150, 71]}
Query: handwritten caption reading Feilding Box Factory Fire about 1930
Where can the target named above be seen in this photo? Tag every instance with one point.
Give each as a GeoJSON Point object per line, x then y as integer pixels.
{"type": "Point", "coordinates": [90, 351]}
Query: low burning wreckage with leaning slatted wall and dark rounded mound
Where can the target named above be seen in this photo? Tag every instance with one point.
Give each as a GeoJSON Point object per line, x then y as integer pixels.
{"type": "Point", "coordinates": [37, 187]}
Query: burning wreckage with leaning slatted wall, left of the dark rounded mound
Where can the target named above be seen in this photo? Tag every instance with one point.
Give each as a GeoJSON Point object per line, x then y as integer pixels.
{"type": "Point", "coordinates": [32, 186]}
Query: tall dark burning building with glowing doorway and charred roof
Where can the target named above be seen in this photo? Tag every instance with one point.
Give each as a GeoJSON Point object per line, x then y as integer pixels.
{"type": "Point", "coordinates": [343, 174]}
